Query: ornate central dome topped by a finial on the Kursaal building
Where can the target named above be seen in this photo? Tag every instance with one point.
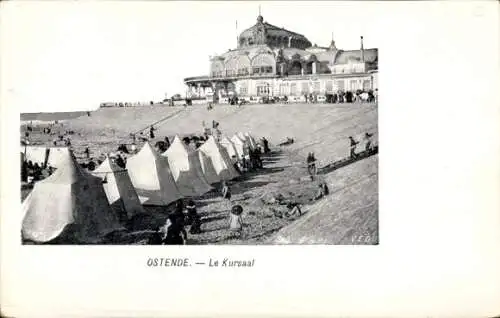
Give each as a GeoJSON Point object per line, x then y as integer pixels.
{"type": "Point", "coordinates": [263, 33]}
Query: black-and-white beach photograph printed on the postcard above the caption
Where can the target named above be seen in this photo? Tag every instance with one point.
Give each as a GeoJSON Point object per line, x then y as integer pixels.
{"type": "Point", "coordinates": [273, 139]}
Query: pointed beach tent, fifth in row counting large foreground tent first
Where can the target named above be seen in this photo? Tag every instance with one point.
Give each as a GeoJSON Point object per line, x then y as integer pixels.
{"type": "Point", "coordinates": [220, 159]}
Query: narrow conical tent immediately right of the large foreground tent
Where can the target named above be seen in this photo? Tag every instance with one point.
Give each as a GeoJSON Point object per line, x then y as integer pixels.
{"type": "Point", "coordinates": [119, 189]}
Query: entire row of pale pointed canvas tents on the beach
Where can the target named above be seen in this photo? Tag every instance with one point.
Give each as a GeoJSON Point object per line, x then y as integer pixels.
{"type": "Point", "coordinates": [87, 205]}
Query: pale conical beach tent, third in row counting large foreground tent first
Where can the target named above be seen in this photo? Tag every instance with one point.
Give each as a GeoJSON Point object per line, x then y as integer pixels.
{"type": "Point", "coordinates": [150, 174]}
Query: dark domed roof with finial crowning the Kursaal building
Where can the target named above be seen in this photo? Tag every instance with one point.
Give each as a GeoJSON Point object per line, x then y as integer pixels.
{"type": "Point", "coordinates": [267, 30]}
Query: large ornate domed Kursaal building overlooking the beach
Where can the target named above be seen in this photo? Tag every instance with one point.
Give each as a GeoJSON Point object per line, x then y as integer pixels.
{"type": "Point", "coordinates": [272, 61]}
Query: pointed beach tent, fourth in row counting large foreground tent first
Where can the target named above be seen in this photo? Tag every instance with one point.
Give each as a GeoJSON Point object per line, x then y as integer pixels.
{"type": "Point", "coordinates": [186, 169]}
